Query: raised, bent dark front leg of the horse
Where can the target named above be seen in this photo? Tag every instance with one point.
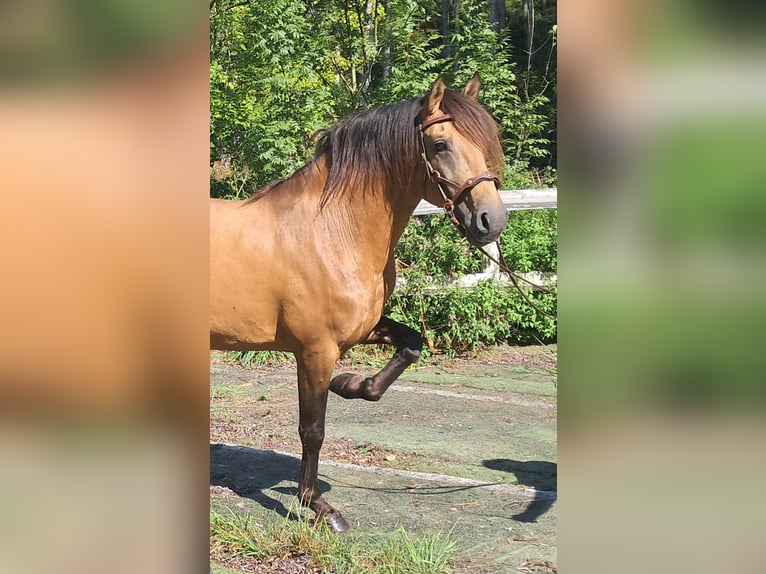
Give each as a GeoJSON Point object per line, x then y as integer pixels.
{"type": "Point", "coordinates": [408, 344]}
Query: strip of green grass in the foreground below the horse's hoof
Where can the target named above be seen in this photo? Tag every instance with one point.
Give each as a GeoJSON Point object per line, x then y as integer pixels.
{"type": "Point", "coordinates": [235, 534]}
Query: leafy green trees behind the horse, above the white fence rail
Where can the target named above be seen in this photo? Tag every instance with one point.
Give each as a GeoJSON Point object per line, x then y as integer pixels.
{"type": "Point", "coordinates": [281, 70]}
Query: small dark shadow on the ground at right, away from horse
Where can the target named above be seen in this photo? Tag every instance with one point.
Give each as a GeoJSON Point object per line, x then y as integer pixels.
{"type": "Point", "coordinates": [540, 475]}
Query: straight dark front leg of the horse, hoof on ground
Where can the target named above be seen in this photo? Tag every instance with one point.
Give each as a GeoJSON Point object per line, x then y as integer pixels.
{"type": "Point", "coordinates": [314, 372]}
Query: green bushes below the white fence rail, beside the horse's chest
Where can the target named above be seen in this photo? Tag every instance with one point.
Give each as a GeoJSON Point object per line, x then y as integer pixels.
{"type": "Point", "coordinates": [457, 319]}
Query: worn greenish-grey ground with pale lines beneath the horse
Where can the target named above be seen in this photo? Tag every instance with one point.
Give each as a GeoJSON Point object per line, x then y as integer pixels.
{"type": "Point", "coordinates": [466, 444]}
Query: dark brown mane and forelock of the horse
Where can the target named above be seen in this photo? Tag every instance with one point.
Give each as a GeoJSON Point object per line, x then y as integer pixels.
{"type": "Point", "coordinates": [379, 148]}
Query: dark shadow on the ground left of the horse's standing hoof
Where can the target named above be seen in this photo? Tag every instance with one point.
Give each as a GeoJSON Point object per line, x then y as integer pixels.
{"type": "Point", "coordinates": [251, 472]}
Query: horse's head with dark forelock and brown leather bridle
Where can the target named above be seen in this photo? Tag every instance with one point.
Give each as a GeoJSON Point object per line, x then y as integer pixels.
{"type": "Point", "coordinates": [460, 142]}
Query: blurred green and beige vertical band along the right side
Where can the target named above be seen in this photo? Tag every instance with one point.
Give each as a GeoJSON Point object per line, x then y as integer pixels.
{"type": "Point", "coordinates": [662, 246]}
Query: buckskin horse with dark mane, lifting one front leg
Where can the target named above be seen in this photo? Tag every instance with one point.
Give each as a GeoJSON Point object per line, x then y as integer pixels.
{"type": "Point", "coordinates": [306, 264]}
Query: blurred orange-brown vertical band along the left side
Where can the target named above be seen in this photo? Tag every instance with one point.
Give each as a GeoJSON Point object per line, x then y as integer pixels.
{"type": "Point", "coordinates": [103, 291]}
